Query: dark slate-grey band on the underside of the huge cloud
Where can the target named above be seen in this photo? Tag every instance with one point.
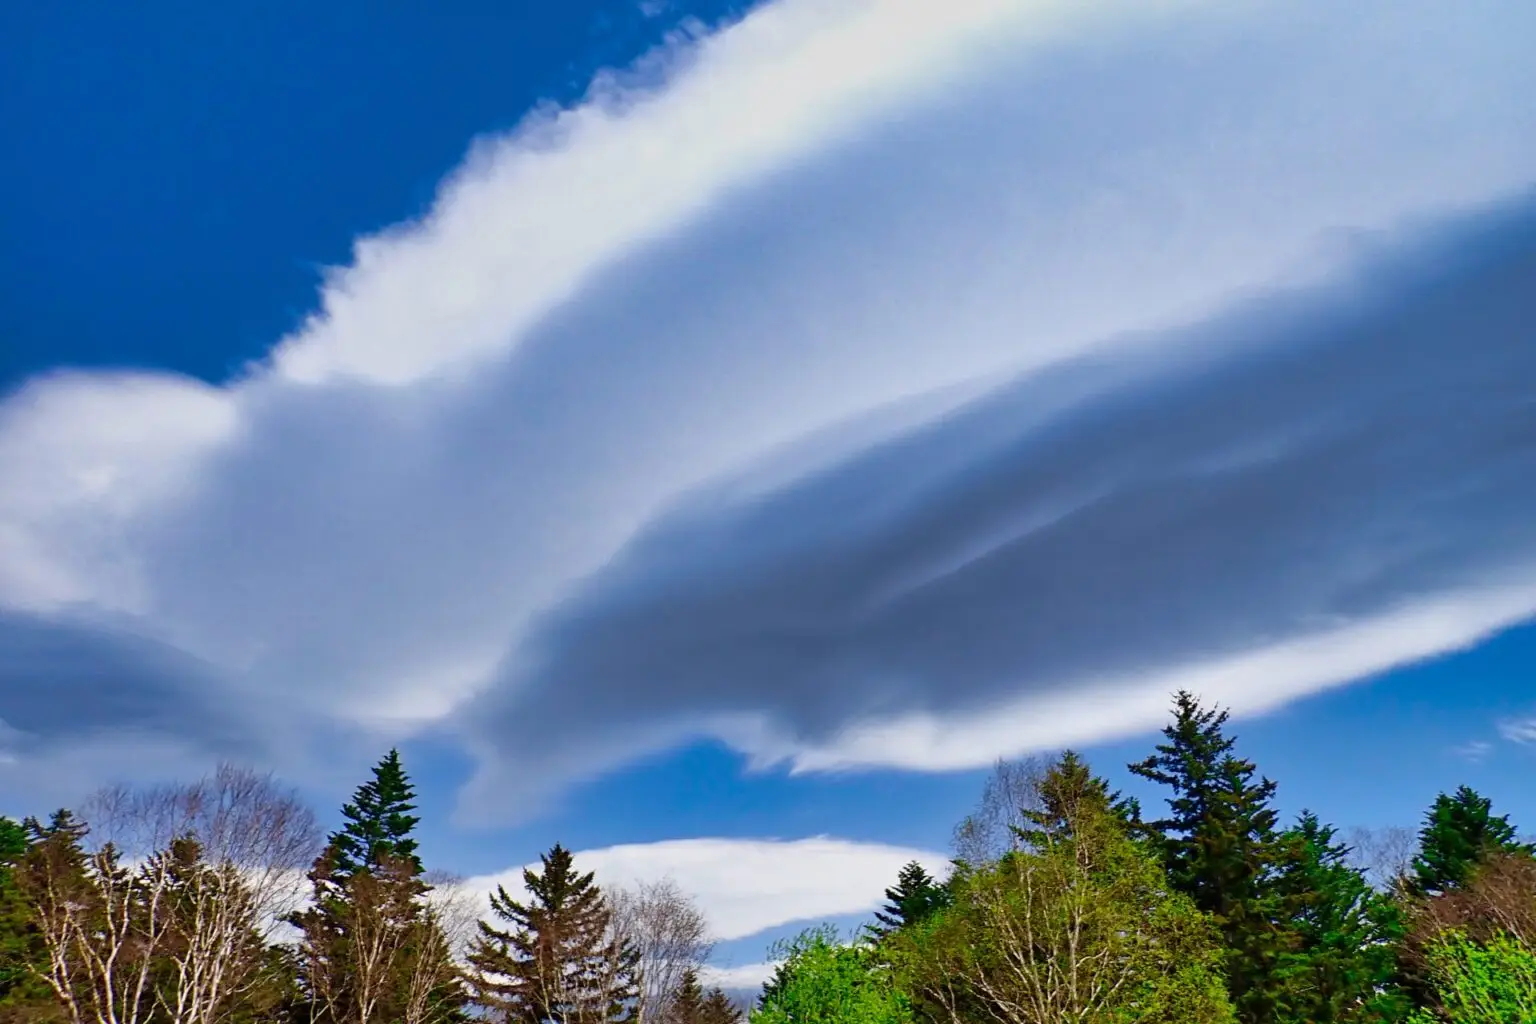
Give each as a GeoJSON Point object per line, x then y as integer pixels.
{"type": "Point", "coordinates": [1308, 461]}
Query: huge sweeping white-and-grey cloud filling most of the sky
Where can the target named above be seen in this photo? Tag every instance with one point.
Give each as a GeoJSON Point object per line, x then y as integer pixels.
{"type": "Point", "coordinates": [832, 391]}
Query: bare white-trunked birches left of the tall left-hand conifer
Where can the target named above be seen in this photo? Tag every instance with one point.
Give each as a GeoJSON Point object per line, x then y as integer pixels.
{"type": "Point", "coordinates": [167, 917]}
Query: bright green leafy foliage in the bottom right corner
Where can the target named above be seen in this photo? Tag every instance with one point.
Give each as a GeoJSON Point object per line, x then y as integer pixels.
{"type": "Point", "coordinates": [1492, 983]}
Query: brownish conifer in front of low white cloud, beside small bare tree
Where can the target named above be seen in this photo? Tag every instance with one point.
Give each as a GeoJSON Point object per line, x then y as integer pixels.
{"type": "Point", "coordinates": [558, 960]}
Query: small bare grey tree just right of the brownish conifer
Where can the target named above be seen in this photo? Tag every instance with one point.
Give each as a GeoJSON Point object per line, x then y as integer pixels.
{"type": "Point", "coordinates": [666, 928]}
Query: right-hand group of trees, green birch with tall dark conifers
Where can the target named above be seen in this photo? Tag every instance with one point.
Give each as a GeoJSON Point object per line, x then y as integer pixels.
{"type": "Point", "coordinates": [1067, 903]}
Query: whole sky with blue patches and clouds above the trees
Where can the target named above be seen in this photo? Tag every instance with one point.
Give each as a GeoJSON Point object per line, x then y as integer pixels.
{"type": "Point", "coordinates": [710, 435]}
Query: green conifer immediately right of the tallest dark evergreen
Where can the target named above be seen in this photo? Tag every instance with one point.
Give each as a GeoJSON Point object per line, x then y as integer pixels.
{"type": "Point", "coordinates": [1343, 963]}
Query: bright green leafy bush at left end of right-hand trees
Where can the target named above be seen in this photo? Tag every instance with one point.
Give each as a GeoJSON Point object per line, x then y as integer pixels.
{"type": "Point", "coordinates": [823, 980]}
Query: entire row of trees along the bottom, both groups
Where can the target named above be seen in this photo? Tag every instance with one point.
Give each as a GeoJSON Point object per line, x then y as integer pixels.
{"type": "Point", "coordinates": [220, 903]}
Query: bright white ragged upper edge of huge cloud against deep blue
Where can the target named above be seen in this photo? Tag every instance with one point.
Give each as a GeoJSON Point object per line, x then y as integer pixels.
{"type": "Point", "coordinates": [531, 217]}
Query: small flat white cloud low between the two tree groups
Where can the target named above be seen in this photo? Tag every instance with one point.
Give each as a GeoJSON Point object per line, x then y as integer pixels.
{"type": "Point", "coordinates": [747, 887]}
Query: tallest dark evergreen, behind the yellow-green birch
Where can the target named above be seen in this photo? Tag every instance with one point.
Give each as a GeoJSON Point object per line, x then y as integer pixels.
{"type": "Point", "coordinates": [1220, 847]}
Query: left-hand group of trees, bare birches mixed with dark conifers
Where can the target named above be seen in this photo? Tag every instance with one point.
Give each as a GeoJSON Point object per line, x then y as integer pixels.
{"type": "Point", "coordinates": [219, 903]}
